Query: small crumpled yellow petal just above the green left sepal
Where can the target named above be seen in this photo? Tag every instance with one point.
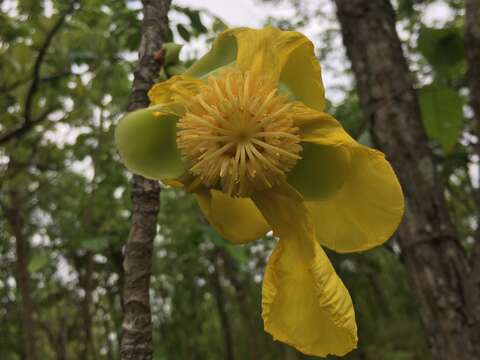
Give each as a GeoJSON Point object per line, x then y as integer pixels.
{"type": "Point", "coordinates": [179, 88]}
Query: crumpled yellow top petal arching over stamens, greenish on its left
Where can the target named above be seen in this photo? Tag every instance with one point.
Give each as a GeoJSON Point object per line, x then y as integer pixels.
{"type": "Point", "coordinates": [287, 57]}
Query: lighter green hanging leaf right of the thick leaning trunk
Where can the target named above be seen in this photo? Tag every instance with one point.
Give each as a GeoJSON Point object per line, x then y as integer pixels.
{"type": "Point", "coordinates": [442, 114]}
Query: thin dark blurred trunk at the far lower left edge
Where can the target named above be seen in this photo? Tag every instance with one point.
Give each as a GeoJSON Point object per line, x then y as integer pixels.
{"type": "Point", "coordinates": [22, 246]}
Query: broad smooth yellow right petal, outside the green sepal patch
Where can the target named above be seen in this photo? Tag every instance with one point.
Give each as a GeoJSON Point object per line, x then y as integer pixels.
{"type": "Point", "coordinates": [366, 211]}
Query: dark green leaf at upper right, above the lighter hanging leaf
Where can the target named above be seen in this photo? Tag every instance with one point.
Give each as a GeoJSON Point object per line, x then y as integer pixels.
{"type": "Point", "coordinates": [444, 49]}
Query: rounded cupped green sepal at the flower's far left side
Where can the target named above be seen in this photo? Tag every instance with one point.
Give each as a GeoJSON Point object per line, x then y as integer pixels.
{"type": "Point", "coordinates": [146, 142]}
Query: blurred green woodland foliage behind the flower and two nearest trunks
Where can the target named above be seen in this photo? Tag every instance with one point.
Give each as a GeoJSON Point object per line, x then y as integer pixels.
{"type": "Point", "coordinates": [66, 70]}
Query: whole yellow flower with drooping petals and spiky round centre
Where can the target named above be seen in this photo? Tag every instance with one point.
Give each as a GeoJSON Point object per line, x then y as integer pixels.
{"type": "Point", "coordinates": [245, 130]}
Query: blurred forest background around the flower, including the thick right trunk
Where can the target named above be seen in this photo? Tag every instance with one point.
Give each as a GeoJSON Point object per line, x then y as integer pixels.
{"type": "Point", "coordinates": [401, 76]}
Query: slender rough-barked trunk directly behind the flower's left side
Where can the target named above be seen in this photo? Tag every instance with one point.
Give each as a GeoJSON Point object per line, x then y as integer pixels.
{"type": "Point", "coordinates": [137, 326]}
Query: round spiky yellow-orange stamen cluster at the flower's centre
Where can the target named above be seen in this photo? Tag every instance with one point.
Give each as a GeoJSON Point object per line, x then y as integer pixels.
{"type": "Point", "coordinates": [237, 134]}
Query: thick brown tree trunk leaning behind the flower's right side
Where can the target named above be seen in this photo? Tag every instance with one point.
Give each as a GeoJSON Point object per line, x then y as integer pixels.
{"type": "Point", "coordinates": [439, 270]}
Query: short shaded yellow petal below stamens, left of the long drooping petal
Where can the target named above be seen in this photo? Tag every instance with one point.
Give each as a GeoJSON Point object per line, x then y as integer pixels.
{"type": "Point", "coordinates": [235, 219]}
